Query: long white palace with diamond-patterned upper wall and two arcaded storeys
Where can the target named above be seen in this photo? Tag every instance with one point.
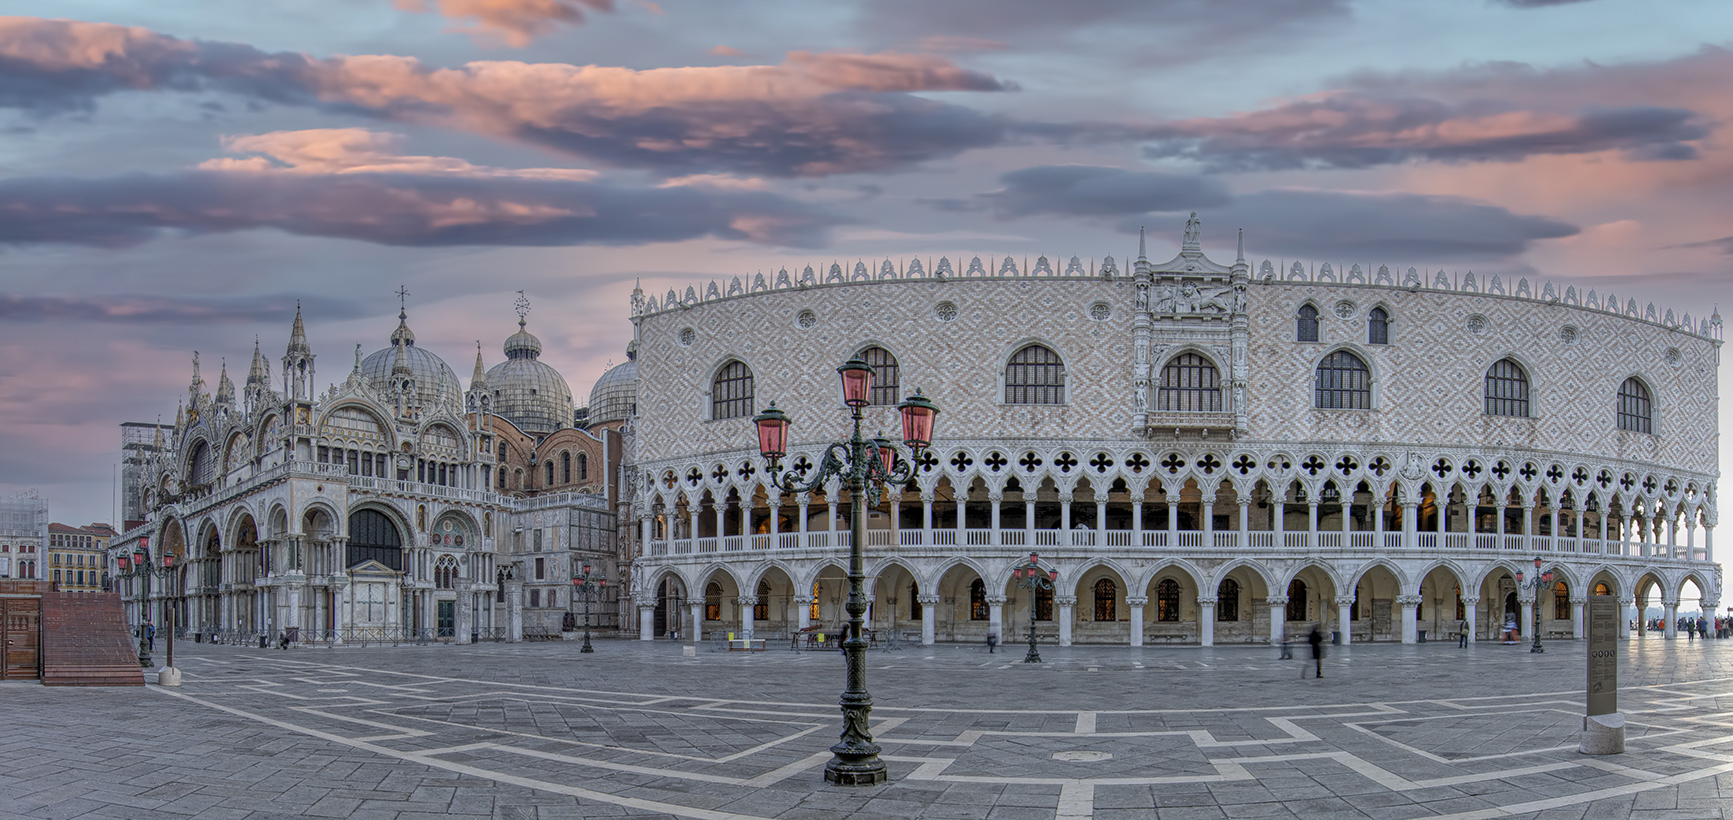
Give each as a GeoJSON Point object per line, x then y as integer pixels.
{"type": "Point", "coordinates": [1205, 452]}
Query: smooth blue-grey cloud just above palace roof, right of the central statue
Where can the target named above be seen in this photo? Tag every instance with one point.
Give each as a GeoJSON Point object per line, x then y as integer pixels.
{"type": "Point", "coordinates": [1380, 228]}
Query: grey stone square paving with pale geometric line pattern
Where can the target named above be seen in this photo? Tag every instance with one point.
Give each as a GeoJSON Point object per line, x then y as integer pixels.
{"type": "Point", "coordinates": [540, 731]}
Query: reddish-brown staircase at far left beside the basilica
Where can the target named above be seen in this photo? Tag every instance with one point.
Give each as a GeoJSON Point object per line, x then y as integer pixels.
{"type": "Point", "coordinates": [86, 642]}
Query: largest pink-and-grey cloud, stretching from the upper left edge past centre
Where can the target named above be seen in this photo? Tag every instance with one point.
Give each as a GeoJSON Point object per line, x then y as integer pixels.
{"type": "Point", "coordinates": [812, 115]}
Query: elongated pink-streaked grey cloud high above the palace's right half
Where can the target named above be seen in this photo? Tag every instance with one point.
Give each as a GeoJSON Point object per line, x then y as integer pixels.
{"type": "Point", "coordinates": [1360, 131]}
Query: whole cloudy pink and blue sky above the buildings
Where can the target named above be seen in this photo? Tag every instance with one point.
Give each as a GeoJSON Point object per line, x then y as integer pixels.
{"type": "Point", "coordinates": [179, 174]}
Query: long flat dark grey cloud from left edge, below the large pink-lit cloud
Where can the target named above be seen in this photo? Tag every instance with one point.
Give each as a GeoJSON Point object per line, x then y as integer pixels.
{"type": "Point", "coordinates": [394, 209]}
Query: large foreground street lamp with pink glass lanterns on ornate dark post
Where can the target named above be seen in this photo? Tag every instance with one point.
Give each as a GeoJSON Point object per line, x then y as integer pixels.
{"type": "Point", "coordinates": [864, 465]}
